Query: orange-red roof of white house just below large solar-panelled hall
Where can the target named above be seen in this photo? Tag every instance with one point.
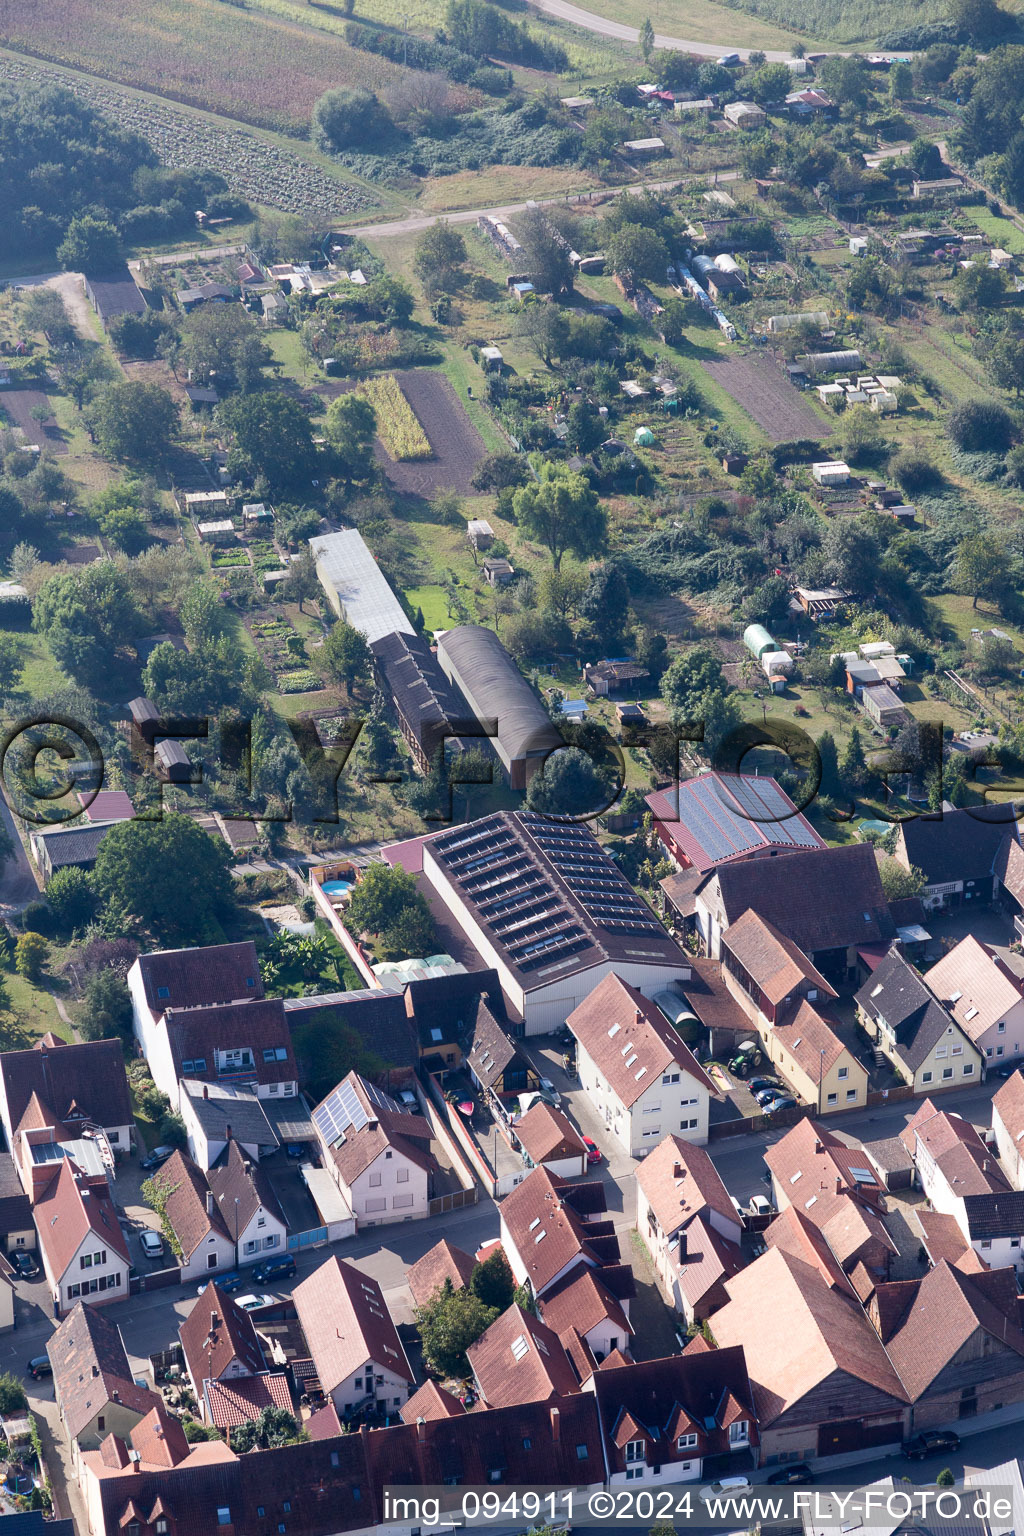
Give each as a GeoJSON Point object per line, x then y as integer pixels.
{"type": "Point", "coordinates": [630, 1041]}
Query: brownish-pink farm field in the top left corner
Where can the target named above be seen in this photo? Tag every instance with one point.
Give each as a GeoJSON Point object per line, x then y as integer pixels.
{"type": "Point", "coordinates": [254, 68]}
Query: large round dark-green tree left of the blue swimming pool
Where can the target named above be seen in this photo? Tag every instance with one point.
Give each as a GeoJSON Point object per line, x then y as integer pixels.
{"type": "Point", "coordinates": [167, 876]}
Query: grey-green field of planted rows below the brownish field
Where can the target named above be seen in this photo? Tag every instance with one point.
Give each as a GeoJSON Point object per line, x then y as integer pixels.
{"type": "Point", "coordinates": [253, 168]}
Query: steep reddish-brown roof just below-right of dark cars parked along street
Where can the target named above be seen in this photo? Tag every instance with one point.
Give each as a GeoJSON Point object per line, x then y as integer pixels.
{"type": "Point", "coordinates": [346, 1323]}
